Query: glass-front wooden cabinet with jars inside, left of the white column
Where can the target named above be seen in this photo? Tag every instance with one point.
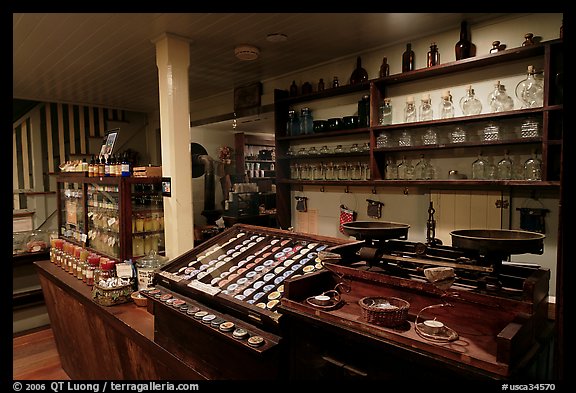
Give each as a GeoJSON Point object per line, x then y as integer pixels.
{"type": "Point", "coordinates": [118, 217]}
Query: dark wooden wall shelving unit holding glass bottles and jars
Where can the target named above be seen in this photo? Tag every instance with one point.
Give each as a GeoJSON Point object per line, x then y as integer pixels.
{"type": "Point", "coordinates": [444, 142]}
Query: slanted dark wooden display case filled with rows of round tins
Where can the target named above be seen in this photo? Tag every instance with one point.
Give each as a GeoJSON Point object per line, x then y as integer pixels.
{"type": "Point", "coordinates": [237, 279]}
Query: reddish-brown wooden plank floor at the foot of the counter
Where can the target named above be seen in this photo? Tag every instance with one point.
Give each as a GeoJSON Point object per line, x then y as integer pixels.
{"type": "Point", "coordinates": [35, 357]}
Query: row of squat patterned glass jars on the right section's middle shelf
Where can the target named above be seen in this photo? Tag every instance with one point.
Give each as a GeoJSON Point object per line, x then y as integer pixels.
{"type": "Point", "coordinates": [485, 132]}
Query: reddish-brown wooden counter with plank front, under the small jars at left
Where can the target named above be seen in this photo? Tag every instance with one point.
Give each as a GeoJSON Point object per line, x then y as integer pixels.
{"type": "Point", "coordinates": [97, 342]}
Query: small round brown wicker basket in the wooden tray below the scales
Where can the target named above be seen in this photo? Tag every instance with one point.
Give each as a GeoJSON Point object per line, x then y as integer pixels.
{"type": "Point", "coordinates": [384, 311]}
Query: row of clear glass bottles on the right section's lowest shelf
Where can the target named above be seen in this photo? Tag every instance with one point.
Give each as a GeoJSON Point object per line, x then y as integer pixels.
{"type": "Point", "coordinates": [482, 168]}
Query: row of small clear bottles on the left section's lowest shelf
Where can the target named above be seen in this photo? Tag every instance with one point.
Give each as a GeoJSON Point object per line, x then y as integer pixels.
{"type": "Point", "coordinates": [330, 171]}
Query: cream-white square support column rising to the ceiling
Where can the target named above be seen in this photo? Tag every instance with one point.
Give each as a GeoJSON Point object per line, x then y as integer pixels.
{"type": "Point", "coordinates": [173, 60]}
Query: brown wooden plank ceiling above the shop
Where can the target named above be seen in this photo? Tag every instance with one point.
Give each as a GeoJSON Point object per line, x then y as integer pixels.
{"type": "Point", "coordinates": [108, 59]}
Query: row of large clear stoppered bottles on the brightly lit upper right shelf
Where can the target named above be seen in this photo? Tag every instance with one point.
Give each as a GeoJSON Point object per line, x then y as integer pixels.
{"type": "Point", "coordinates": [529, 91]}
